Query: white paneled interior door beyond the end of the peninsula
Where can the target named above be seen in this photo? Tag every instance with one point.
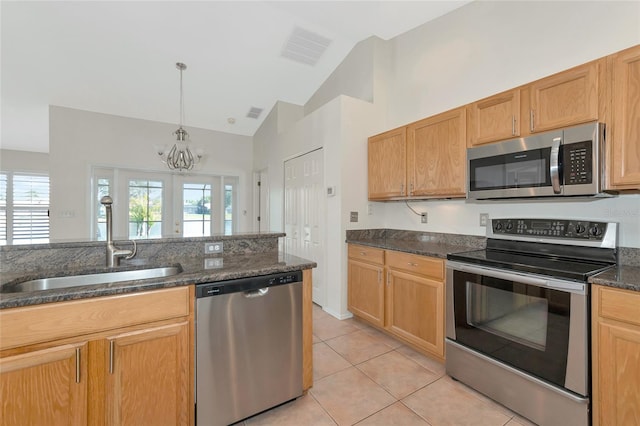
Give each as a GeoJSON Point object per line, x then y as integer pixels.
{"type": "Point", "coordinates": [304, 214]}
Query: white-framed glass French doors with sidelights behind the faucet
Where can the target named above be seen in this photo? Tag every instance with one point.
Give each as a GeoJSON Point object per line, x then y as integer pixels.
{"type": "Point", "coordinates": [163, 204]}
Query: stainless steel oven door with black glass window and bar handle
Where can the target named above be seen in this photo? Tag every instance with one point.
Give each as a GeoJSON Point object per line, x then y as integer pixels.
{"type": "Point", "coordinates": [536, 325]}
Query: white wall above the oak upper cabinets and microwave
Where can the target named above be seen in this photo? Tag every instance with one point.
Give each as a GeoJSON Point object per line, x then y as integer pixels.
{"type": "Point", "coordinates": [486, 47]}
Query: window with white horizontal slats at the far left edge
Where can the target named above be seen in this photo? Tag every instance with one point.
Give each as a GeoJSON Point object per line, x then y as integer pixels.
{"type": "Point", "coordinates": [24, 208]}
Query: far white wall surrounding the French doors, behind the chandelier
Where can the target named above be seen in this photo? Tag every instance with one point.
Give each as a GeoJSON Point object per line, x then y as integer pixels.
{"type": "Point", "coordinates": [82, 139]}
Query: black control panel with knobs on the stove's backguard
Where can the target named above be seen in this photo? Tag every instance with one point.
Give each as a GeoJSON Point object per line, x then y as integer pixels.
{"type": "Point", "coordinates": [558, 228]}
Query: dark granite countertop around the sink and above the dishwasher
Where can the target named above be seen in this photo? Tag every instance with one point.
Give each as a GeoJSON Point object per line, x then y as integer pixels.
{"type": "Point", "coordinates": [195, 270]}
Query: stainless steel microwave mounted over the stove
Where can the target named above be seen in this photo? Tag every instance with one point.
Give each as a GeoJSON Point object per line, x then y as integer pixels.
{"type": "Point", "coordinates": [565, 162]}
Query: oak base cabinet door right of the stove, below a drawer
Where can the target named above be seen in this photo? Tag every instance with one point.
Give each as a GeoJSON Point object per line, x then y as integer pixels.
{"type": "Point", "coordinates": [619, 374]}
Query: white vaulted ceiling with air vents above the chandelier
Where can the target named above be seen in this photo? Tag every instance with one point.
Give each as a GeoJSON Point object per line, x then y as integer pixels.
{"type": "Point", "coordinates": [119, 57]}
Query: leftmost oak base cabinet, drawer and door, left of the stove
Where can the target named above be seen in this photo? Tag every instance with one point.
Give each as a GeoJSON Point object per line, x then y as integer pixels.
{"type": "Point", "coordinates": [366, 283]}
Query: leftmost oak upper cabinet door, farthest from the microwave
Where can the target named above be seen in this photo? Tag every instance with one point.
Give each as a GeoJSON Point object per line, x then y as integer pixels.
{"type": "Point", "coordinates": [387, 165]}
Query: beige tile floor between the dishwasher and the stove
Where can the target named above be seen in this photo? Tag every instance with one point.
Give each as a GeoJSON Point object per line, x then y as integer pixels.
{"type": "Point", "coordinates": [366, 378]}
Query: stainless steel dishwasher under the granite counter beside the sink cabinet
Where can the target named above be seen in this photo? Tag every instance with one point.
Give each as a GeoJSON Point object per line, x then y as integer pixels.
{"type": "Point", "coordinates": [248, 346]}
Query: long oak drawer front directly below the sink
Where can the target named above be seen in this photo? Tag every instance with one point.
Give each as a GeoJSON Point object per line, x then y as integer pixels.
{"type": "Point", "coordinates": [52, 321]}
